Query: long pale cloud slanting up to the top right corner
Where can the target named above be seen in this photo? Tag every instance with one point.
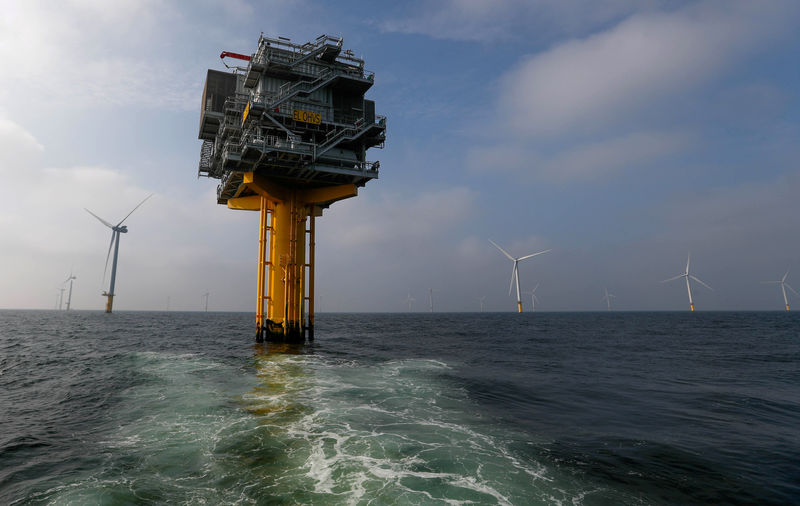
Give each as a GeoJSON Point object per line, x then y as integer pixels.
{"type": "Point", "coordinates": [602, 80]}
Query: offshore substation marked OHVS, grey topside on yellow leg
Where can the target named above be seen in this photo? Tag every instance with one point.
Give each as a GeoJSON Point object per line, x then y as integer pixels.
{"type": "Point", "coordinates": [287, 135]}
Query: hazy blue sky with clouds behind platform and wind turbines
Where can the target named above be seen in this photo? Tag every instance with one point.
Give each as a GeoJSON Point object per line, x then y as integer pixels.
{"type": "Point", "coordinates": [621, 134]}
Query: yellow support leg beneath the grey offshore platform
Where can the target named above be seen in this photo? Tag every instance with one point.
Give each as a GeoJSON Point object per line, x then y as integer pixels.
{"type": "Point", "coordinates": [285, 279]}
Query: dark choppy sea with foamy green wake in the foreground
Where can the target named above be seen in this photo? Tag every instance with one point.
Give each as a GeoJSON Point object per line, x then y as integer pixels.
{"type": "Point", "coordinates": [537, 408]}
